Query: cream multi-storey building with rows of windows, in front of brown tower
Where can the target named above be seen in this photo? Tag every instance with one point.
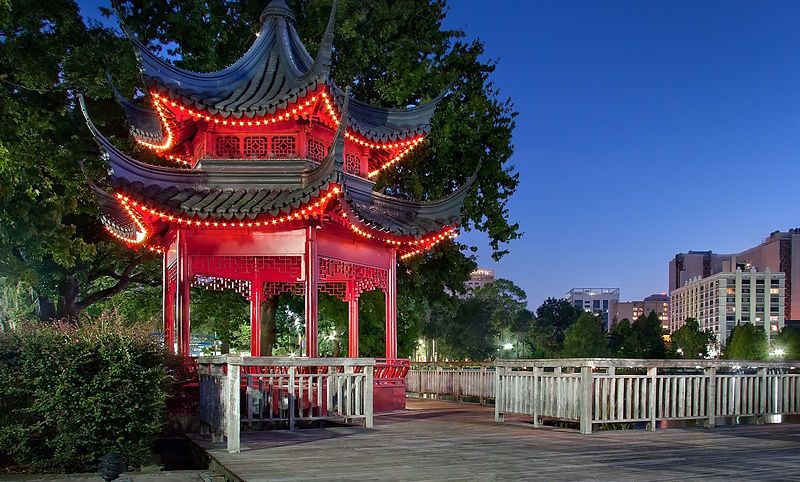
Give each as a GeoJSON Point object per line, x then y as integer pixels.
{"type": "Point", "coordinates": [720, 301]}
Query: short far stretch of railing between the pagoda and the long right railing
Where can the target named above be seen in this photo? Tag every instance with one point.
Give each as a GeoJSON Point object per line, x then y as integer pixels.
{"type": "Point", "coordinates": [457, 380]}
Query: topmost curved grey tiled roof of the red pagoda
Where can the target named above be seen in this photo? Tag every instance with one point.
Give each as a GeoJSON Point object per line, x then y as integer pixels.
{"type": "Point", "coordinates": [274, 73]}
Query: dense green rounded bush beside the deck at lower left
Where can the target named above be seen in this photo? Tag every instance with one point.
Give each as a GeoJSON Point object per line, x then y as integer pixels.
{"type": "Point", "coordinates": [71, 394]}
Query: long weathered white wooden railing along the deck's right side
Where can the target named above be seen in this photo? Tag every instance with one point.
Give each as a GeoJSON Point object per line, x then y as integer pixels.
{"type": "Point", "coordinates": [605, 391]}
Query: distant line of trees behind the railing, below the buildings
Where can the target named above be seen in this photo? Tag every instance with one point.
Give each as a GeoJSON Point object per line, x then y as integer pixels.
{"type": "Point", "coordinates": [495, 323]}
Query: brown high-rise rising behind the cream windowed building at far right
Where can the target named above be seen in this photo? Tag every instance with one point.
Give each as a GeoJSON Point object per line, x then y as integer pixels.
{"type": "Point", "coordinates": [780, 252]}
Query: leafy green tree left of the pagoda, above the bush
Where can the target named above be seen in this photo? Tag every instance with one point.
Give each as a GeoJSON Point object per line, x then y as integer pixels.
{"type": "Point", "coordinates": [51, 238]}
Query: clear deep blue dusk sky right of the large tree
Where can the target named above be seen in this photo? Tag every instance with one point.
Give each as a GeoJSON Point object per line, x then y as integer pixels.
{"type": "Point", "coordinates": [645, 129]}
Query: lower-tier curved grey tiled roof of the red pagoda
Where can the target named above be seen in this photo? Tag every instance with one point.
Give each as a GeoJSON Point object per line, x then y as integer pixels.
{"type": "Point", "coordinates": [244, 190]}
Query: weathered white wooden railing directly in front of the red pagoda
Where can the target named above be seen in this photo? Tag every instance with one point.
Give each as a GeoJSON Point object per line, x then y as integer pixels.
{"type": "Point", "coordinates": [254, 391]}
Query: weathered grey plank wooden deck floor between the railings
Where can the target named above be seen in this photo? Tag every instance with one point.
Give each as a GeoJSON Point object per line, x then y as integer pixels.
{"type": "Point", "coordinates": [450, 441]}
